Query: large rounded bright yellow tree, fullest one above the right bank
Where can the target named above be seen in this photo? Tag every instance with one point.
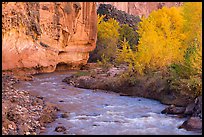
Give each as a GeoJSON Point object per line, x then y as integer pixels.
{"type": "Point", "coordinates": [161, 36]}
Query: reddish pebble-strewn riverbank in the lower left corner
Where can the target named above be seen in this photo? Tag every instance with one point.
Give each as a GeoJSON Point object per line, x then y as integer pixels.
{"type": "Point", "coordinates": [22, 112]}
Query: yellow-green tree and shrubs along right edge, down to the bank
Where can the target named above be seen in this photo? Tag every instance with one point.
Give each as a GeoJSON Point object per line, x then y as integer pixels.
{"type": "Point", "coordinates": [187, 75]}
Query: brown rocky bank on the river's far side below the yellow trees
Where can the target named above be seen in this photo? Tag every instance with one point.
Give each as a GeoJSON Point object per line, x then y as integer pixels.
{"type": "Point", "coordinates": [153, 87]}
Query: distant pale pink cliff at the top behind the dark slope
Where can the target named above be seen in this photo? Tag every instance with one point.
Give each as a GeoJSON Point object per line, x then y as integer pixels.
{"type": "Point", "coordinates": [140, 8]}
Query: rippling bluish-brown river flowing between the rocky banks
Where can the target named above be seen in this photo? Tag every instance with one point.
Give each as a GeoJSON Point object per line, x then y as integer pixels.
{"type": "Point", "coordinates": [92, 112]}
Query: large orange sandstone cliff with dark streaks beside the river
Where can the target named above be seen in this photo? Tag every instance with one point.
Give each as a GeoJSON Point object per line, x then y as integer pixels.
{"type": "Point", "coordinates": [41, 36]}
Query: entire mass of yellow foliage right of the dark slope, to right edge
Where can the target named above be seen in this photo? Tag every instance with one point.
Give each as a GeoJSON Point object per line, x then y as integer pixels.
{"type": "Point", "coordinates": [170, 40]}
